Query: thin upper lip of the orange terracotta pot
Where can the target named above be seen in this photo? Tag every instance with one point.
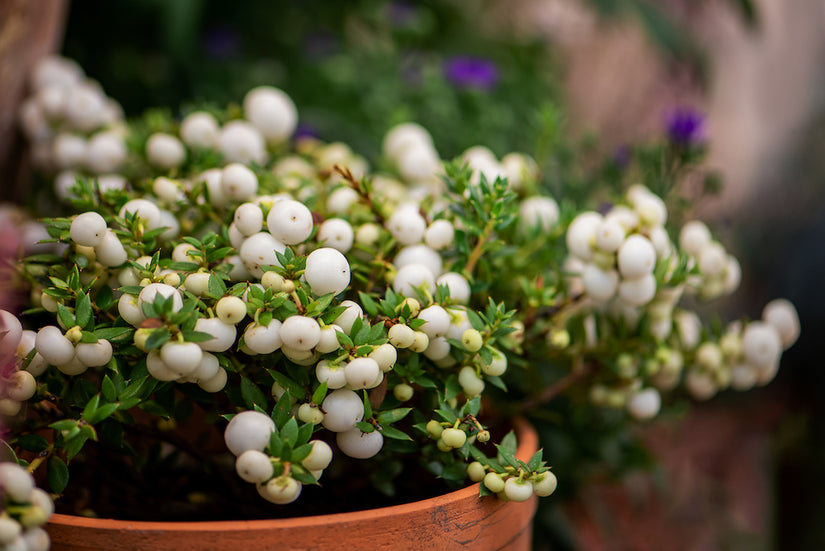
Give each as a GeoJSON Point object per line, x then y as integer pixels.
{"type": "Point", "coordinates": [528, 444]}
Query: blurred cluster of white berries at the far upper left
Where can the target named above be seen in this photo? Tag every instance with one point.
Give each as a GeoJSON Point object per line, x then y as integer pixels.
{"type": "Point", "coordinates": [73, 127]}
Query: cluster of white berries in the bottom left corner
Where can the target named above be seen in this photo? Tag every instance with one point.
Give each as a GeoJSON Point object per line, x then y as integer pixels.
{"type": "Point", "coordinates": [24, 509]}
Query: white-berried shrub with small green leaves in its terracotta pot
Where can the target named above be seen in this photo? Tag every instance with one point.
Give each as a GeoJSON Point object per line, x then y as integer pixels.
{"type": "Point", "coordinates": [218, 279]}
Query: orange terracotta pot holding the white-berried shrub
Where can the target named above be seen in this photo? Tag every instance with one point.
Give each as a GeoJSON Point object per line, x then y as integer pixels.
{"type": "Point", "coordinates": [459, 520]}
